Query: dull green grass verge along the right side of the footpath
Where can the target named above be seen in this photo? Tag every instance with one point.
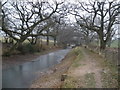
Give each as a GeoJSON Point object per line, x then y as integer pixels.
{"type": "Point", "coordinates": [109, 74]}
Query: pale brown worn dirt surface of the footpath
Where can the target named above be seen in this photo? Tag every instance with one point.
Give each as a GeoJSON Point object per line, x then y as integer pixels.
{"type": "Point", "coordinates": [87, 65]}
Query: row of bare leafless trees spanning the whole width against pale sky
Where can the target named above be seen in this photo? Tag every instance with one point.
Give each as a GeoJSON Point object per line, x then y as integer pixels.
{"type": "Point", "coordinates": [24, 19]}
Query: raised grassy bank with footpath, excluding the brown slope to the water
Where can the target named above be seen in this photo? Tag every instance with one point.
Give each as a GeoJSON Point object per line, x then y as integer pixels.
{"type": "Point", "coordinates": [89, 70]}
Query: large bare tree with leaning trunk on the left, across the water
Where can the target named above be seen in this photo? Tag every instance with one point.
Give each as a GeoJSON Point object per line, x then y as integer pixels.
{"type": "Point", "coordinates": [24, 17]}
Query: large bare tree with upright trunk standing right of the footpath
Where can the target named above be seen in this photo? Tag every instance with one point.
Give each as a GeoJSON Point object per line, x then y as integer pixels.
{"type": "Point", "coordinates": [100, 17]}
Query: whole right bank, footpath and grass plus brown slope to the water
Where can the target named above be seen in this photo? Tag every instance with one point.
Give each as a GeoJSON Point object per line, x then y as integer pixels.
{"type": "Point", "coordinates": [90, 71]}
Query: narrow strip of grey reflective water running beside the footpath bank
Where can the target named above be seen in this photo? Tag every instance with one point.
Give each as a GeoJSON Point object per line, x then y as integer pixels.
{"type": "Point", "coordinates": [21, 76]}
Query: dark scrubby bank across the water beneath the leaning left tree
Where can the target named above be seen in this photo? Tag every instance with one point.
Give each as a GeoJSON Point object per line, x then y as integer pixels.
{"type": "Point", "coordinates": [27, 48]}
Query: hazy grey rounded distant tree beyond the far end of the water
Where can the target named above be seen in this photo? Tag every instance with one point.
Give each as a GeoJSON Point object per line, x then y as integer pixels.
{"type": "Point", "coordinates": [68, 35]}
